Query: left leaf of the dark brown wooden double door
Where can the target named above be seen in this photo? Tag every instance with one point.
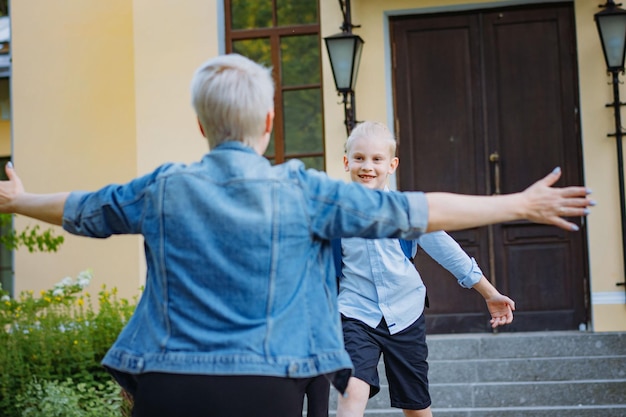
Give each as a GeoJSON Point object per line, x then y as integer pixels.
{"type": "Point", "coordinates": [439, 123]}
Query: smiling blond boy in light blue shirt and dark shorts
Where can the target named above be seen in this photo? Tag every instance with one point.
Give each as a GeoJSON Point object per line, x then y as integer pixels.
{"type": "Point", "coordinates": [382, 296]}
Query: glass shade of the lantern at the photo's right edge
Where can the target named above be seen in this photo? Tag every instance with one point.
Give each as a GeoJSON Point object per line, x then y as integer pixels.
{"type": "Point", "coordinates": [611, 24]}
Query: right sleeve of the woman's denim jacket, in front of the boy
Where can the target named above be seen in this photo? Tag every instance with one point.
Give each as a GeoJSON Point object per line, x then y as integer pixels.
{"type": "Point", "coordinates": [339, 209]}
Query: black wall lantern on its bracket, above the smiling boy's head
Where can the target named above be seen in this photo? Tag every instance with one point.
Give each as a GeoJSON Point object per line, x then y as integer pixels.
{"type": "Point", "coordinates": [344, 51]}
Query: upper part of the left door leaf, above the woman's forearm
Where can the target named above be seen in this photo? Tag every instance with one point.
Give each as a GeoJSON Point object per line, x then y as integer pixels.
{"type": "Point", "coordinates": [442, 77]}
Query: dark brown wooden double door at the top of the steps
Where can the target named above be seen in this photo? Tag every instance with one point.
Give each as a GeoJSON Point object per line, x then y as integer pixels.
{"type": "Point", "coordinates": [486, 102]}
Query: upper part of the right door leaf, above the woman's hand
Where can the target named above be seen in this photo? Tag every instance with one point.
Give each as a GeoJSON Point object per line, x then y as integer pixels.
{"type": "Point", "coordinates": [529, 85]}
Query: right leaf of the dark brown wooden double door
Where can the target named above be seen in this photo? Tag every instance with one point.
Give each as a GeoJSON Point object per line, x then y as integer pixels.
{"type": "Point", "coordinates": [530, 86]}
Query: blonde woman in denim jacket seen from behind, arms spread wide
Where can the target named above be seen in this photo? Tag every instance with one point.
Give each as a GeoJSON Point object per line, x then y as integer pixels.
{"type": "Point", "coordinates": [239, 313]}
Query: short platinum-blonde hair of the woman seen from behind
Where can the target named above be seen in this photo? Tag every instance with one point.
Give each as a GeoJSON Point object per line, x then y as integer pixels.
{"type": "Point", "coordinates": [232, 96]}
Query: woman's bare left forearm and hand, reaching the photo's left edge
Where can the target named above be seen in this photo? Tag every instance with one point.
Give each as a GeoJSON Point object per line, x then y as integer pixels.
{"type": "Point", "coordinates": [13, 199]}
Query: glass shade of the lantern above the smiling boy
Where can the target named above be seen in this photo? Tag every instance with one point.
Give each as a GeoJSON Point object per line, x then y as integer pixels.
{"type": "Point", "coordinates": [344, 51]}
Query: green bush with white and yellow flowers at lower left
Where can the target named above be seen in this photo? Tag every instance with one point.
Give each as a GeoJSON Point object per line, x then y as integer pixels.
{"type": "Point", "coordinates": [51, 347]}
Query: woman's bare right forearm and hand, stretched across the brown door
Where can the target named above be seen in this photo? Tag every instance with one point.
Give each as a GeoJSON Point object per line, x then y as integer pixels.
{"type": "Point", "coordinates": [539, 203]}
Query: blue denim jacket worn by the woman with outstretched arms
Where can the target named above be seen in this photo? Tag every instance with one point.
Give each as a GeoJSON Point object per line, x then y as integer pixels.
{"type": "Point", "coordinates": [239, 266]}
